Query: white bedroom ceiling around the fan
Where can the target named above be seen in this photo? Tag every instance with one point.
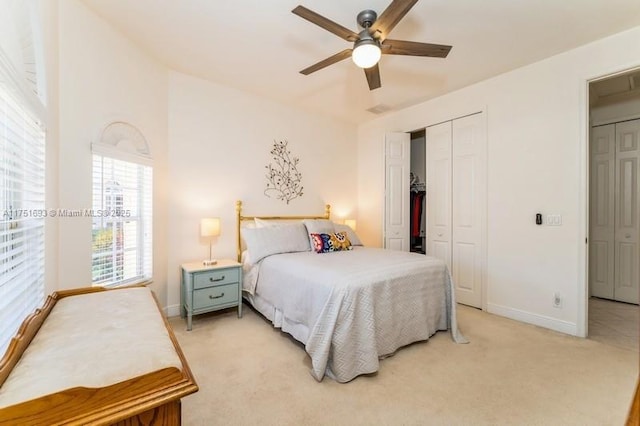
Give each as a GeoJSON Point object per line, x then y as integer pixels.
{"type": "Point", "coordinates": [259, 46]}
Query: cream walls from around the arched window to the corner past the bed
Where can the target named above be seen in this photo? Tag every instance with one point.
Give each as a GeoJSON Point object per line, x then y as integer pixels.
{"type": "Point", "coordinates": [210, 145]}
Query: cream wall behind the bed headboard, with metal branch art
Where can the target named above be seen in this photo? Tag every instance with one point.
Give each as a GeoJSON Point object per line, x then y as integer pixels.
{"type": "Point", "coordinates": [219, 144]}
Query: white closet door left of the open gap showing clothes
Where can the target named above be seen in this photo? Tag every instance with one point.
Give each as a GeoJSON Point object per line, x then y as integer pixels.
{"type": "Point", "coordinates": [397, 167]}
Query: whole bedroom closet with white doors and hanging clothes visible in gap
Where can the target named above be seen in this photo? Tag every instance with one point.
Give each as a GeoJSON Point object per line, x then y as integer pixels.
{"type": "Point", "coordinates": [445, 165]}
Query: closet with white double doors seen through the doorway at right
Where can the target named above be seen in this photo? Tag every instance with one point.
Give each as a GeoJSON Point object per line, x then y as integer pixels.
{"type": "Point", "coordinates": [614, 211]}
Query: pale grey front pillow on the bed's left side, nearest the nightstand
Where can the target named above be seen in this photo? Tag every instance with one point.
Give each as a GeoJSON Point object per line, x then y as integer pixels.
{"type": "Point", "coordinates": [263, 242]}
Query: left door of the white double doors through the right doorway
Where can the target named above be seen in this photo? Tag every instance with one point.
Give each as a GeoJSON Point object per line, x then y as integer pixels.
{"type": "Point", "coordinates": [601, 211]}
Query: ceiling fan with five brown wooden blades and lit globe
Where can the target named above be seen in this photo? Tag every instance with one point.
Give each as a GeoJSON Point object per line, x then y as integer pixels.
{"type": "Point", "coordinates": [371, 42]}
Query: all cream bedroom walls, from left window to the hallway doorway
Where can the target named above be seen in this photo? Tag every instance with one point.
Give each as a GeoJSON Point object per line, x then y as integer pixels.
{"type": "Point", "coordinates": [211, 143]}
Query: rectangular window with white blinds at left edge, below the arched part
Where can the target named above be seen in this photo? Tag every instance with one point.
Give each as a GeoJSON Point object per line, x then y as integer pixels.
{"type": "Point", "coordinates": [22, 165]}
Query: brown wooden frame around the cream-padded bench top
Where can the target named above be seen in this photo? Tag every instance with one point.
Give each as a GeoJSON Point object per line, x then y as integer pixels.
{"type": "Point", "coordinates": [150, 399]}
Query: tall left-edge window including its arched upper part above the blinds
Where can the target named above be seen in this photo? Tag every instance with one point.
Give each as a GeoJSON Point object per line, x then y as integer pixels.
{"type": "Point", "coordinates": [22, 166]}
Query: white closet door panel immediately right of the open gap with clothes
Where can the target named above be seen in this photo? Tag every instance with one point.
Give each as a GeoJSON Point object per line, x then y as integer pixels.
{"type": "Point", "coordinates": [438, 198]}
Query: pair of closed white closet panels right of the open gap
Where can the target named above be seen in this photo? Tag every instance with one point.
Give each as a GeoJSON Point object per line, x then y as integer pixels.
{"type": "Point", "coordinates": [456, 201]}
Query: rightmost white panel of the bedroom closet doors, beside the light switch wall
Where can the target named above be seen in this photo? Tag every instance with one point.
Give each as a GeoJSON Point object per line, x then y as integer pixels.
{"type": "Point", "coordinates": [468, 208]}
